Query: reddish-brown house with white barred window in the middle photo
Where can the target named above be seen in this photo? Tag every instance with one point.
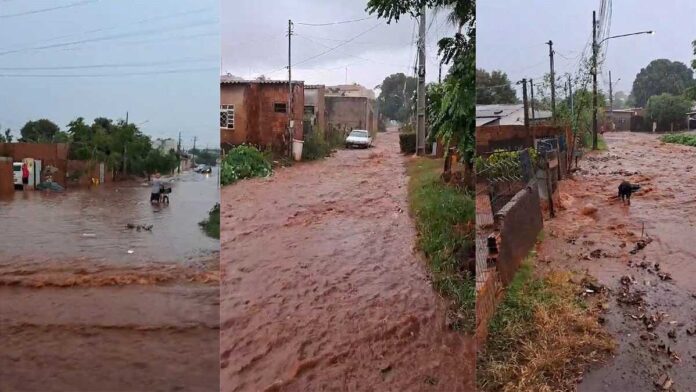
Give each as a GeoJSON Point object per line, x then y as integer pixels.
{"type": "Point", "coordinates": [256, 112]}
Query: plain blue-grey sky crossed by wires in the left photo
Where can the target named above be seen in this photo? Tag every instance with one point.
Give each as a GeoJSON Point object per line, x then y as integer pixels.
{"type": "Point", "coordinates": [156, 59]}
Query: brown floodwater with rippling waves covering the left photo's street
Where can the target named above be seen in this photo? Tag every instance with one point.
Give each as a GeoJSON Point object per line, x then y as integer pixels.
{"type": "Point", "coordinates": [79, 312]}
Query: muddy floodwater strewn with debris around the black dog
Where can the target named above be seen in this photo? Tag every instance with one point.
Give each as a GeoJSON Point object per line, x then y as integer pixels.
{"type": "Point", "coordinates": [652, 310]}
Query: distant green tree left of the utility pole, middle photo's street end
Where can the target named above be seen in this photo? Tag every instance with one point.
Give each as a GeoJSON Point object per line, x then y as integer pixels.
{"type": "Point", "coordinates": [396, 93]}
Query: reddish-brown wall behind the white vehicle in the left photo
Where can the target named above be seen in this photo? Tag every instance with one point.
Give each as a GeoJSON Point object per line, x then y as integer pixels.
{"type": "Point", "coordinates": [55, 155]}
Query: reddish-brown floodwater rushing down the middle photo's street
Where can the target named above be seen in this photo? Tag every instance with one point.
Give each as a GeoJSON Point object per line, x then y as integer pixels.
{"type": "Point", "coordinates": [322, 289]}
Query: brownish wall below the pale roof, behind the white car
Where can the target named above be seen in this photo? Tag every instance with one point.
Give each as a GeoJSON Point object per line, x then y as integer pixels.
{"type": "Point", "coordinates": [351, 113]}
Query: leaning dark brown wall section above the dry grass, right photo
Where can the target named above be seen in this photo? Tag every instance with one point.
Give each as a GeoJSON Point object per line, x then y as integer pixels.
{"type": "Point", "coordinates": [519, 223]}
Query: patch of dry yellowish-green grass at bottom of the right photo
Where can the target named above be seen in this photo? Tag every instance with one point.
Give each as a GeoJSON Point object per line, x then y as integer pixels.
{"type": "Point", "coordinates": [543, 336]}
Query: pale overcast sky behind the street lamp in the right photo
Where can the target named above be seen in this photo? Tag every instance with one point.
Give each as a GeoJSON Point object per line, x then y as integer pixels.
{"type": "Point", "coordinates": [511, 36]}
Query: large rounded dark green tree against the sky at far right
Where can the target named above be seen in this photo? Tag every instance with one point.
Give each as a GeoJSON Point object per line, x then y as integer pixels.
{"type": "Point", "coordinates": [662, 76]}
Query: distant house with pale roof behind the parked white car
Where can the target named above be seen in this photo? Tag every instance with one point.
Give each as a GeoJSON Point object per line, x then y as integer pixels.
{"type": "Point", "coordinates": [351, 107]}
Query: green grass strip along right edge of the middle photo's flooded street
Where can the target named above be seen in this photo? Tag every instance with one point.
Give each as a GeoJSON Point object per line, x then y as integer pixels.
{"type": "Point", "coordinates": [444, 217]}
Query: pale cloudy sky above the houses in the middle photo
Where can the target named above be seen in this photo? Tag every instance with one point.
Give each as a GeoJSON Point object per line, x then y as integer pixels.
{"type": "Point", "coordinates": [254, 41]}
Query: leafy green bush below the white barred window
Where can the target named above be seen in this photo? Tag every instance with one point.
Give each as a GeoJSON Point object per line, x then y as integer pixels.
{"type": "Point", "coordinates": [244, 162]}
